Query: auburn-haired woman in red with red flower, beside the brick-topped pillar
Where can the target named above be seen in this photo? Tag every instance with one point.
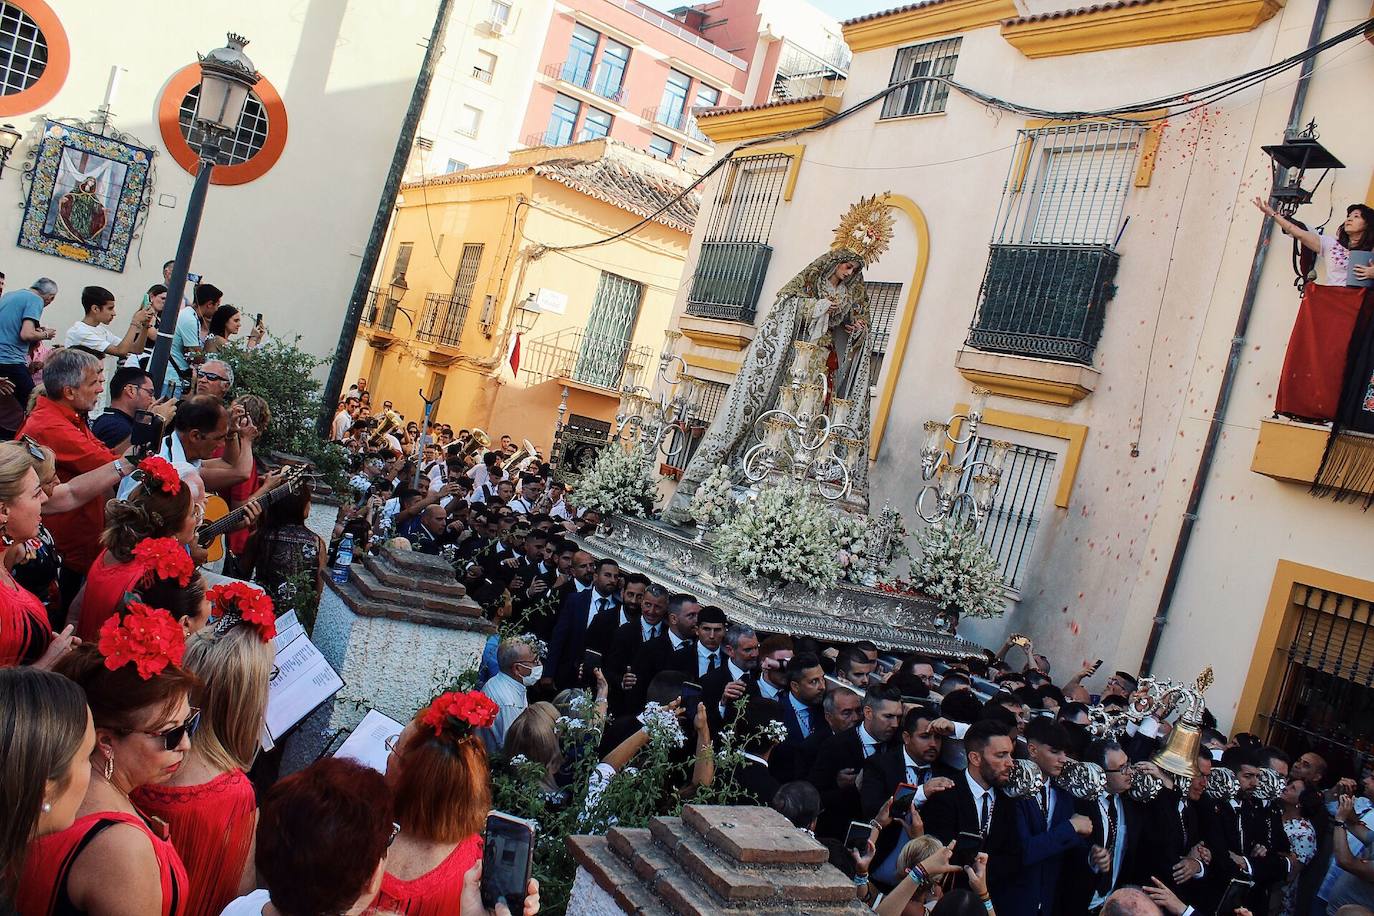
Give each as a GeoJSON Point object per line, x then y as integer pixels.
{"type": "Point", "coordinates": [439, 772]}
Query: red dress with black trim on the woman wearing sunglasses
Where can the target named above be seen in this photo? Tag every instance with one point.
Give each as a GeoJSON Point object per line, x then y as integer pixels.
{"type": "Point", "coordinates": [43, 888]}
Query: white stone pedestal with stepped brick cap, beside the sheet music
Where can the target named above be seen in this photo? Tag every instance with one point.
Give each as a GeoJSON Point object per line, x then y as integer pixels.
{"type": "Point", "coordinates": [396, 628]}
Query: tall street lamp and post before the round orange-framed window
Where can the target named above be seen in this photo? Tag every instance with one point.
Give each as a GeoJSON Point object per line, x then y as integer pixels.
{"type": "Point", "coordinates": [227, 78]}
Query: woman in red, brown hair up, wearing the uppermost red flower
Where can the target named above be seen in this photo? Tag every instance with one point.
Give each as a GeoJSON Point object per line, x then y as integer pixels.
{"type": "Point", "coordinates": [161, 507]}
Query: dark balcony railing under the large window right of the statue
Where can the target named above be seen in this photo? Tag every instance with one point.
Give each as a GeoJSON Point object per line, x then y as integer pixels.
{"type": "Point", "coordinates": [1046, 301]}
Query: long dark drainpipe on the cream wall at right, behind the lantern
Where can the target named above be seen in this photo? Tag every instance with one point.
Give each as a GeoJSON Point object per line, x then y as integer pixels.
{"type": "Point", "coordinates": [1233, 365]}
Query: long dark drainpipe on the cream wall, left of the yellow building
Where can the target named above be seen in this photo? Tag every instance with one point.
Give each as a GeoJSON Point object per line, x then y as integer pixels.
{"type": "Point", "coordinates": [383, 219]}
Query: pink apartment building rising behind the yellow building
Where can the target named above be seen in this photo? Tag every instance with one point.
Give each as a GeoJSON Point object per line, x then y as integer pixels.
{"type": "Point", "coordinates": [622, 69]}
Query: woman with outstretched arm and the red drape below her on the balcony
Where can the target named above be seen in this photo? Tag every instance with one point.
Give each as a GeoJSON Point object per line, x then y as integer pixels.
{"type": "Point", "coordinates": [1314, 369]}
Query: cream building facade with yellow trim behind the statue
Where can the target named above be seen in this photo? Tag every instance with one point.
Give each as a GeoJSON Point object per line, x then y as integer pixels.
{"type": "Point", "coordinates": [1108, 426]}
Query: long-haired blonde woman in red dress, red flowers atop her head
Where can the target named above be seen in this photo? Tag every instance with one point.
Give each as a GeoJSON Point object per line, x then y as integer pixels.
{"type": "Point", "coordinates": [210, 803]}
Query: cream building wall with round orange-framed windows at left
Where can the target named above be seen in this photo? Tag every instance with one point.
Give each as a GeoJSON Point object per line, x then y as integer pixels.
{"type": "Point", "coordinates": [285, 227]}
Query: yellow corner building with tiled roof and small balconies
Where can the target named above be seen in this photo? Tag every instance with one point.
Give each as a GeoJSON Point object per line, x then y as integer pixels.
{"type": "Point", "coordinates": [487, 257]}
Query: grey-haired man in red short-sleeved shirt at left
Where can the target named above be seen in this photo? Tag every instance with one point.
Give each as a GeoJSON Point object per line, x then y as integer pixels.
{"type": "Point", "coordinates": [72, 384]}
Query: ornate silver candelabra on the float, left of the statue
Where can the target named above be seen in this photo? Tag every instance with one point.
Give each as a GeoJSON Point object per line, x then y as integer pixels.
{"type": "Point", "coordinates": [659, 425]}
